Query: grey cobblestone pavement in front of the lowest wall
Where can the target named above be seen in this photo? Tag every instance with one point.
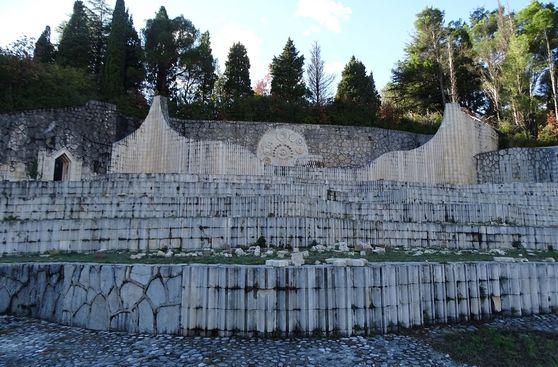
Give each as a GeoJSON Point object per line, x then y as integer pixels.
{"type": "Point", "coordinates": [27, 342]}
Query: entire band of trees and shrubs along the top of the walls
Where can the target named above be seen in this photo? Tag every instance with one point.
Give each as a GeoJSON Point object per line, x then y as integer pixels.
{"type": "Point", "coordinates": [499, 65]}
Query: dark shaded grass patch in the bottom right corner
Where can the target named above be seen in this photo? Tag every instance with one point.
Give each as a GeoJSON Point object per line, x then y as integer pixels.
{"type": "Point", "coordinates": [500, 347]}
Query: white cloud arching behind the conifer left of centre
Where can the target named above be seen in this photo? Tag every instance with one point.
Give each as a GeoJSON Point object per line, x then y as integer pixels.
{"type": "Point", "coordinates": [227, 35]}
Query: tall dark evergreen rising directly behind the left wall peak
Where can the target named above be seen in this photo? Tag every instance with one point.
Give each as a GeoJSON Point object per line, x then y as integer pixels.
{"type": "Point", "coordinates": [166, 41]}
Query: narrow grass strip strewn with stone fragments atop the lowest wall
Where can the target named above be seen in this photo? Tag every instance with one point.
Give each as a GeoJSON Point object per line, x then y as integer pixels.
{"type": "Point", "coordinates": [391, 255]}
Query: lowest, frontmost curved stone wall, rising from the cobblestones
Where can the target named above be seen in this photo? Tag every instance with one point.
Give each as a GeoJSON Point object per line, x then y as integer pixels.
{"type": "Point", "coordinates": [249, 300]}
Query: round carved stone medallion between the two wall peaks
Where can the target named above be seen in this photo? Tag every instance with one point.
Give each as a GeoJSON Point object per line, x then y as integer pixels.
{"type": "Point", "coordinates": [282, 147]}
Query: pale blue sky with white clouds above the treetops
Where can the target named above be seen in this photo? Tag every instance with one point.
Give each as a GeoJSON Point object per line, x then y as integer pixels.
{"type": "Point", "coordinates": [375, 31]}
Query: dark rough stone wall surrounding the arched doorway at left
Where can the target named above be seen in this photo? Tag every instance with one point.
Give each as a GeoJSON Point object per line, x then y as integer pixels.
{"type": "Point", "coordinates": [87, 132]}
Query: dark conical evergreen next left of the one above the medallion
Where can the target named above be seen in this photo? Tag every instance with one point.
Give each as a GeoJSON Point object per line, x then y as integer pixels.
{"type": "Point", "coordinates": [237, 84]}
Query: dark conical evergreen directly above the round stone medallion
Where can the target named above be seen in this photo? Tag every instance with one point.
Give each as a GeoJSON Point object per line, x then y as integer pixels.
{"type": "Point", "coordinates": [287, 72]}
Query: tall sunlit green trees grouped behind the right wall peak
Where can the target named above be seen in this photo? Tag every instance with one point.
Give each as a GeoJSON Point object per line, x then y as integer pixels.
{"type": "Point", "coordinates": [499, 65]}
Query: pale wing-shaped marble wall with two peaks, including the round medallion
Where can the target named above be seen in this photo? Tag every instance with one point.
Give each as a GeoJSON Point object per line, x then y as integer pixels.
{"type": "Point", "coordinates": [447, 158]}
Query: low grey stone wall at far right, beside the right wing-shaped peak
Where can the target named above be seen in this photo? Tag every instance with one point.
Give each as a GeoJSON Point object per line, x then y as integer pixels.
{"type": "Point", "coordinates": [518, 165]}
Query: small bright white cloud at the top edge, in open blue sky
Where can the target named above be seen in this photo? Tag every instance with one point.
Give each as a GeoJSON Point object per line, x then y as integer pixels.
{"type": "Point", "coordinates": [327, 13]}
